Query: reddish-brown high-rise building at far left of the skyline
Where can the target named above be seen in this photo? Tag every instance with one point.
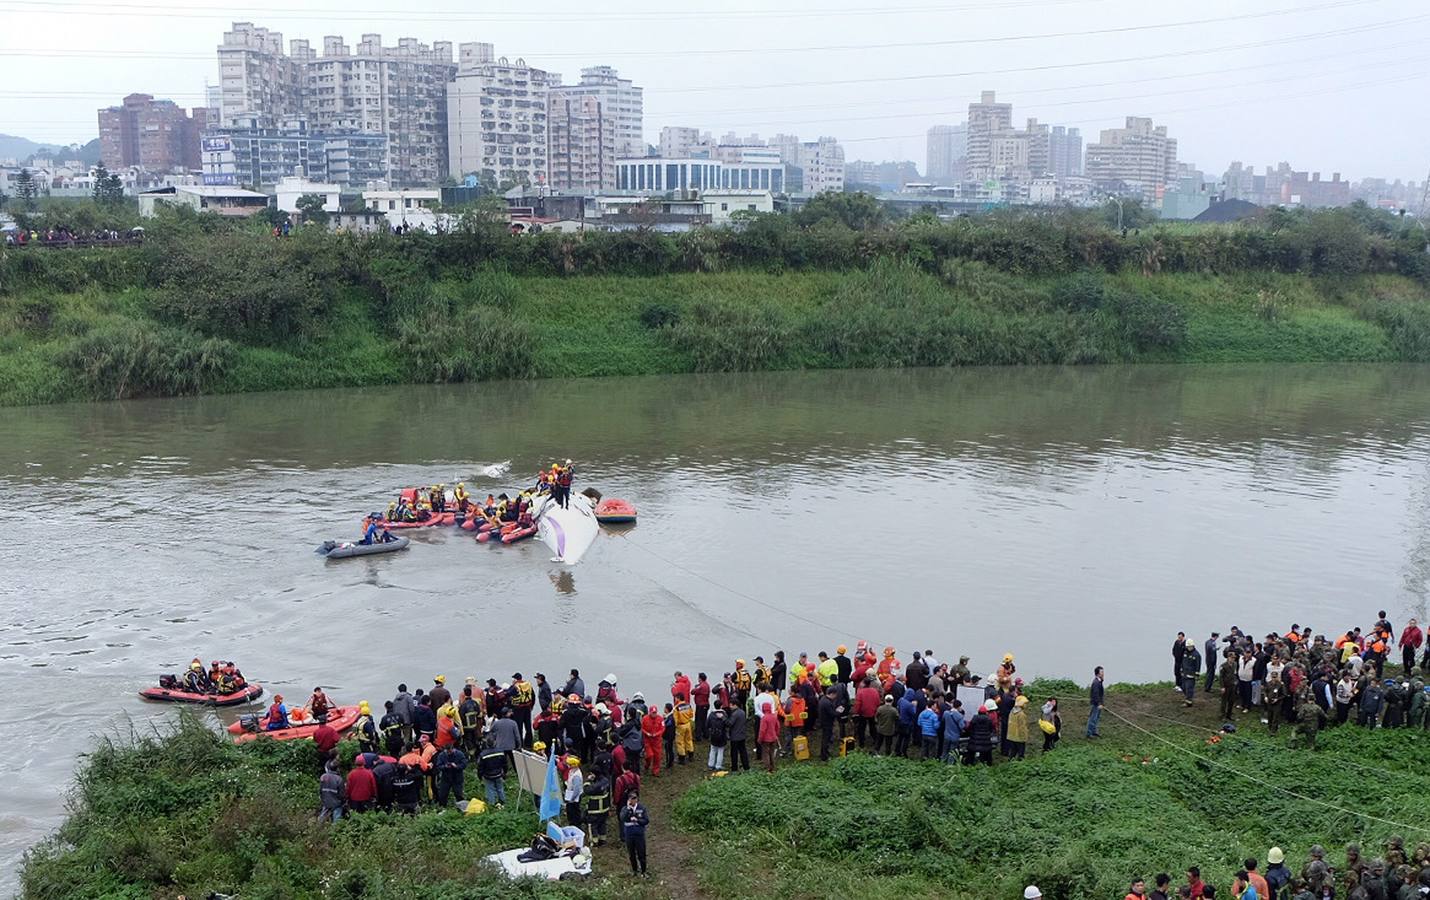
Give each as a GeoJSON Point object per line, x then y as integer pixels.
{"type": "Point", "coordinates": [154, 135]}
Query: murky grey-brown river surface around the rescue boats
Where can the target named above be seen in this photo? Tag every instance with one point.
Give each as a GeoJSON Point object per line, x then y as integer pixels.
{"type": "Point", "coordinates": [1073, 517]}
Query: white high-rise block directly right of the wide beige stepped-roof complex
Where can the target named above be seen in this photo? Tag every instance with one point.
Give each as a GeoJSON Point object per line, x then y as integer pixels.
{"type": "Point", "coordinates": [497, 118]}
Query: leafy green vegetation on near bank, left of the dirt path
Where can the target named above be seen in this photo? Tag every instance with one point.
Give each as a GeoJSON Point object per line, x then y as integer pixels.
{"type": "Point", "coordinates": [189, 813]}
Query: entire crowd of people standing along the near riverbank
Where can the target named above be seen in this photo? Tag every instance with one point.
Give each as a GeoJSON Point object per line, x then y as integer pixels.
{"type": "Point", "coordinates": [417, 752]}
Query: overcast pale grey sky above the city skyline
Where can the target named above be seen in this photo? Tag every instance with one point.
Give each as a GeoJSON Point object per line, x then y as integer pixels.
{"type": "Point", "coordinates": [1326, 85]}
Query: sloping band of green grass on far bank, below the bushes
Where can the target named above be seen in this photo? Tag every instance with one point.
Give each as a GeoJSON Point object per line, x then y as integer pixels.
{"type": "Point", "coordinates": [890, 314]}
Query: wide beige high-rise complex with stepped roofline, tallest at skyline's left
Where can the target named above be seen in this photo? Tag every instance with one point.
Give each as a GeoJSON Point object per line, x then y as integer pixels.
{"type": "Point", "coordinates": [398, 92]}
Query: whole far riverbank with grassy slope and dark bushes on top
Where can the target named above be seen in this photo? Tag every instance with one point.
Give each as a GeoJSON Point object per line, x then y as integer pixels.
{"type": "Point", "coordinates": [204, 310]}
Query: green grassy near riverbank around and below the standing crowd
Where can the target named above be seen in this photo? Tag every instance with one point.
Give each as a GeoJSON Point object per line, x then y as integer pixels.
{"type": "Point", "coordinates": [189, 815]}
